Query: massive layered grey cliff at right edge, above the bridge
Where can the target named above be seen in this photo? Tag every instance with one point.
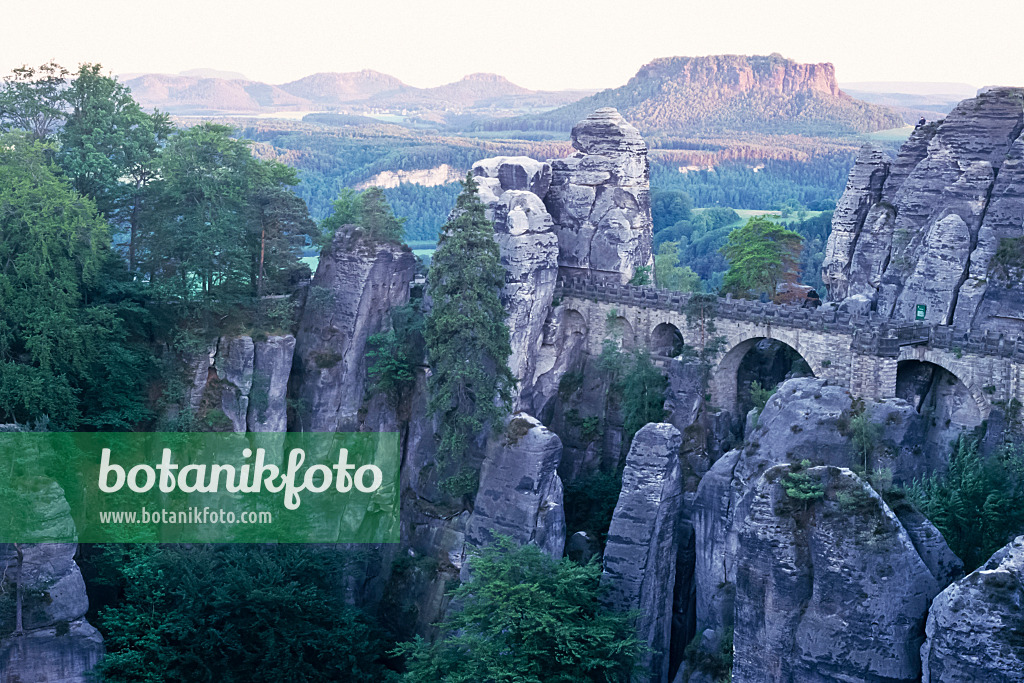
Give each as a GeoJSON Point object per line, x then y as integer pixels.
{"type": "Point", "coordinates": [942, 224]}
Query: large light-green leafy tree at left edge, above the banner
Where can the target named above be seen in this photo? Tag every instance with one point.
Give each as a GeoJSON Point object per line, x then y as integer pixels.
{"type": "Point", "coordinates": [63, 348]}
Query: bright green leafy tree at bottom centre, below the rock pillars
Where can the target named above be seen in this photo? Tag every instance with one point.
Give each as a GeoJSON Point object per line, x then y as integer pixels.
{"type": "Point", "coordinates": [527, 618]}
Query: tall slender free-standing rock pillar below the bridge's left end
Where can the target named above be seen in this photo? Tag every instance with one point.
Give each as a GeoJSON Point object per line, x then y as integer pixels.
{"type": "Point", "coordinates": [642, 551]}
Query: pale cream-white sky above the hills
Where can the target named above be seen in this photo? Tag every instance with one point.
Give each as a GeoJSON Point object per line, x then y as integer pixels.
{"type": "Point", "coordinates": [540, 45]}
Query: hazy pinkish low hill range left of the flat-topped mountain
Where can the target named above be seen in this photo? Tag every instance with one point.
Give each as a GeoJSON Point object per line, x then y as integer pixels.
{"type": "Point", "coordinates": [205, 94]}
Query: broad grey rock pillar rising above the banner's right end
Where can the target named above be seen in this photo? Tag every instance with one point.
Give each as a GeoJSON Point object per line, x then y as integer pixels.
{"type": "Point", "coordinates": [357, 285]}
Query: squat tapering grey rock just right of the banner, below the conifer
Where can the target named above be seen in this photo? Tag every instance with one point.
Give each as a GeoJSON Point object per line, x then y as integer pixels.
{"type": "Point", "coordinates": [521, 495]}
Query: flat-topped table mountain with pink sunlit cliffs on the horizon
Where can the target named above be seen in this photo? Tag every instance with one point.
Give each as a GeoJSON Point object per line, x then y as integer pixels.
{"type": "Point", "coordinates": [729, 94]}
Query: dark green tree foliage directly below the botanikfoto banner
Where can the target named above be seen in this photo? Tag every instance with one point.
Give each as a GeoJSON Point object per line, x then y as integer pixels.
{"type": "Point", "coordinates": [234, 615]}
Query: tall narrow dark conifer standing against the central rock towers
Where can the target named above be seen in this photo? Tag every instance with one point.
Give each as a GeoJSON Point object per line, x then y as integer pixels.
{"type": "Point", "coordinates": [467, 339]}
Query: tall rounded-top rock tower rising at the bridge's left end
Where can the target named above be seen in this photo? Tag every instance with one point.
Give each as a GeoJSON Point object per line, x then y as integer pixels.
{"type": "Point", "coordinates": [601, 200]}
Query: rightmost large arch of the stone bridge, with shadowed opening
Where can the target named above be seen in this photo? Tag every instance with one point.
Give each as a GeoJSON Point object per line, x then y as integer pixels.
{"type": "Point", "coordinates": [938, 380]}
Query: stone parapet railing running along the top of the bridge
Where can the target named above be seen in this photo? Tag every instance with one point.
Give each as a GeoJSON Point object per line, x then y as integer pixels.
{"type": "Point", "coordinates": [872, 333]}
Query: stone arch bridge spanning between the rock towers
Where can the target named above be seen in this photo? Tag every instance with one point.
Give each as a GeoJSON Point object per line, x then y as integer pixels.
{"type": "Point", "coordinates": [861, 353]}
